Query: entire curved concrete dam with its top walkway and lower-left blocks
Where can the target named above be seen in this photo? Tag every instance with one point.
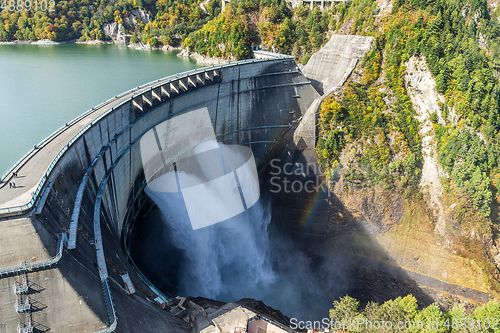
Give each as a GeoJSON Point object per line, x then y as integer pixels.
{"type": "Point", "coordinates": [64, 263]}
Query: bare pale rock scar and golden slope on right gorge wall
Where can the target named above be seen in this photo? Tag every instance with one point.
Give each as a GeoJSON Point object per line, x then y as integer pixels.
{"type": "Point", "coordinates": [383, 224]}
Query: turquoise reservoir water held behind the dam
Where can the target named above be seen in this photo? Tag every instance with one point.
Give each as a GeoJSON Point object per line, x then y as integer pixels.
{"type": "Point", "coordinates": [44, 86]}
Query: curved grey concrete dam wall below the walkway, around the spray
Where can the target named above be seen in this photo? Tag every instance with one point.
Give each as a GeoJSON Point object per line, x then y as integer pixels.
{"type": "Point", "coordinates": [95, 189]}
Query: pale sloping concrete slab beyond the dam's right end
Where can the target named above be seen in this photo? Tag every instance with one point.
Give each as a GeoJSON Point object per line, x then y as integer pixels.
{"type": "Point", "coordinates": [326, 67]}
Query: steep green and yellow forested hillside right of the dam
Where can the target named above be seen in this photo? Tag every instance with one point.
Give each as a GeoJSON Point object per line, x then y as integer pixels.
{"type": "Point", "coordinates": [372, 123]}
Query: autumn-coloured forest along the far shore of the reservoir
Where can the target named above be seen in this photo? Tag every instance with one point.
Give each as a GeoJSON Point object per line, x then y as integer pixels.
{"type": "Point", "coordinates": [272, 23]}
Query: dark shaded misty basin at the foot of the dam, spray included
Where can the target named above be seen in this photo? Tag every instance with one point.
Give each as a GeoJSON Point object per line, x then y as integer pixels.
{"type": "Point", "coordinates": [263, 255]}
